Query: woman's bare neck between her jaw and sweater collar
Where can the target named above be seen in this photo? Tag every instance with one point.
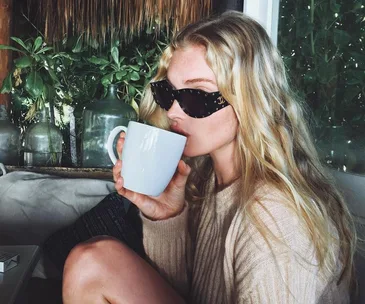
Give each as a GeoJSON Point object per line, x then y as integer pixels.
{"type": "Point", "coordinates": [225, 165]}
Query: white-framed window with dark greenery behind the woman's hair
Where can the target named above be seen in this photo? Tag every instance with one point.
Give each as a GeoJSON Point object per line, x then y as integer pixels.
{"type": "Point", "coordinates": [322, 43]}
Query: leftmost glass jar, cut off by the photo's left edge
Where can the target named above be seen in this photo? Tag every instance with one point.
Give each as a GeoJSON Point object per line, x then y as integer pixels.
{"type": "Point", "coordinates": [9, 139]}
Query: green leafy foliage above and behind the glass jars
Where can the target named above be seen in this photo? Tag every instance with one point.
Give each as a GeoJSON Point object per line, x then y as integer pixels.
{"type": "Point", "coordinates": [70, 74]}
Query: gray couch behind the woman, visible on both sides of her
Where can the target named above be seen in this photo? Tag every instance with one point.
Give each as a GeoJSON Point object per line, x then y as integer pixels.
{"type": "Point", "coordinates": [33, 206]}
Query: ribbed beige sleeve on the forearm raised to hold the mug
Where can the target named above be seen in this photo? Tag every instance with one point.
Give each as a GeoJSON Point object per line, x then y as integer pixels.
{"type": "Point", "coordinates": [168, 248]}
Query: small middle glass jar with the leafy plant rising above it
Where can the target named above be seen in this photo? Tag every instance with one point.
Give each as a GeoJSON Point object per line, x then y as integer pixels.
{"type": "Point", "coordinates": [33, 77]}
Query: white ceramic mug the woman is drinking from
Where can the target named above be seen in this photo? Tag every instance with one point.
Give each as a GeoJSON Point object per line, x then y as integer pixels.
{"type": "Point", "coordinates": [150, 157]}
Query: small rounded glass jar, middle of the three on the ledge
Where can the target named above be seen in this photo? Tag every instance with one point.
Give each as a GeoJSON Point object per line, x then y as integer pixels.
{"type": "Point", "coordinates": [43, 143]}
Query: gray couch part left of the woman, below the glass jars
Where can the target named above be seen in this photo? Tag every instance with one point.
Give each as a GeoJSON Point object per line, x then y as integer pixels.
{"type": "Point", "coordinates": [33, 206]}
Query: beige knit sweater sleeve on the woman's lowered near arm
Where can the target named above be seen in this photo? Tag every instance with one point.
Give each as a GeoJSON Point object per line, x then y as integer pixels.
{"type": "Point", "coordinates": [280, 269]}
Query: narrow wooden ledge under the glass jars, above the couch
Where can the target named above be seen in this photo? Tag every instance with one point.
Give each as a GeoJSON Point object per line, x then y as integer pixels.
{"type": "Point", "coordinates": [95, 173]}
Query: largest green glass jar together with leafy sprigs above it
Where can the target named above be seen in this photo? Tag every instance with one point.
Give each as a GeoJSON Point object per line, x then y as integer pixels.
{"type": "Point", "coordinates": [127, 75]}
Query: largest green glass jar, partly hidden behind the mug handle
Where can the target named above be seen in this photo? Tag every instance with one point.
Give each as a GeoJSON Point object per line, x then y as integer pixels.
{"type": "Point", "coordinates": [99, 119]}
